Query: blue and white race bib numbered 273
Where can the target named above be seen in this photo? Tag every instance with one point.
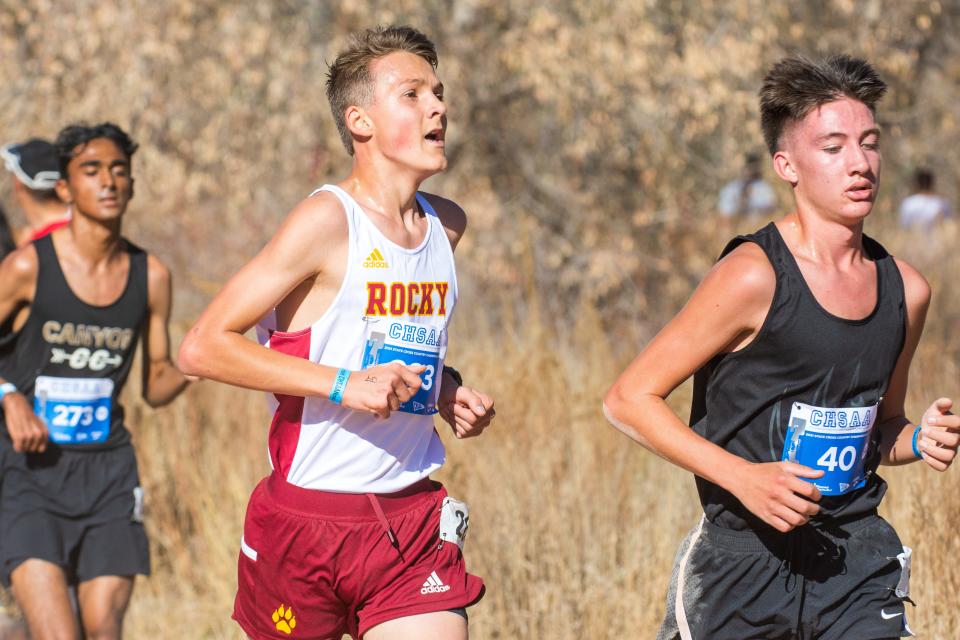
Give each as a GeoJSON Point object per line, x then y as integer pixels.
{"type": "Point", "coordinates": [76, 410]}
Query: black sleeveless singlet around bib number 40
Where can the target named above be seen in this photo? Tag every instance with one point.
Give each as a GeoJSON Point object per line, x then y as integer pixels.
{"type": "Point", "coordinates": [802, 354]}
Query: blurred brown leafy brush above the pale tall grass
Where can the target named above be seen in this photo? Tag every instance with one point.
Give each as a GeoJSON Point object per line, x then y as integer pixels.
{"type": "Point", "coordinates": [594, 133]}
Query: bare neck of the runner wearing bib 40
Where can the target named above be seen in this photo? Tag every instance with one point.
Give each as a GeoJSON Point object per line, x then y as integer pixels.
{"type": "Point", "coordinates": [821, 240]}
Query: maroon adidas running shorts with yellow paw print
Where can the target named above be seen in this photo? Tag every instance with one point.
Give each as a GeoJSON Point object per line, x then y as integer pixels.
{"type": "Point", "coordinates": [316, 565]}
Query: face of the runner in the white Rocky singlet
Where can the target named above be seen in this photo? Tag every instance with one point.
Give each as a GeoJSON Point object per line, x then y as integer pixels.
{"type": "Point", "coordinates": [408, 112]}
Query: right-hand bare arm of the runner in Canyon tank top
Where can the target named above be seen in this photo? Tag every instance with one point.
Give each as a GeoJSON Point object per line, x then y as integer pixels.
{"type": "Point", "coordinates": [162, 381]}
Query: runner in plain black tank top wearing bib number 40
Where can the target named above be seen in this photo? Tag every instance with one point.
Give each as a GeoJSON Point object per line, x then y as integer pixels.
{"type": "Point", "coordinates": [800, 341]}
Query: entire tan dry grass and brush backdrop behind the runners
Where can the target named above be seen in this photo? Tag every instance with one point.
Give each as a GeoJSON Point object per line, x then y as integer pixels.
{"type": "Point", "coordinates": [588, 141]}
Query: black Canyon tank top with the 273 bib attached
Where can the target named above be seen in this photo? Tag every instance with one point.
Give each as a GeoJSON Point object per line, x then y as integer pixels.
{"type": "Point", "coordinates": [71, 359]}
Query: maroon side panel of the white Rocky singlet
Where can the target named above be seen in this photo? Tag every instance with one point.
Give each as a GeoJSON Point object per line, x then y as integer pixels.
{"type": "Point", "coordinates": [287, 420]}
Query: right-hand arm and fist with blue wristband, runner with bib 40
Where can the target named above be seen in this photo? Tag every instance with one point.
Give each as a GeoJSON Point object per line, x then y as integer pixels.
{"type": "Point", "coordinates": [940, 426]}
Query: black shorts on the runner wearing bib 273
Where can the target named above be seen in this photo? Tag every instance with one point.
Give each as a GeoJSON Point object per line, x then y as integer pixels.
{"type": "Point", "coordinates": [76, 509]}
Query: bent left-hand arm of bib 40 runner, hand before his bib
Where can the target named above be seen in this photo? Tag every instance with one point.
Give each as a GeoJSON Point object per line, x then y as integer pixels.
{"type": "Point", "coordinates": [724, 313]}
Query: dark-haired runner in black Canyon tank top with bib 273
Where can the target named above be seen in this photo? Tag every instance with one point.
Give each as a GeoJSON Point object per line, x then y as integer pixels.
{"type": "Point", "coordinates": [79, 301]}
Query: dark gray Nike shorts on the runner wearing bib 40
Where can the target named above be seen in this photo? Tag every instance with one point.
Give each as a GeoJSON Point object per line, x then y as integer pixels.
{"type": "Point", "coordinates": [842, 582]}
